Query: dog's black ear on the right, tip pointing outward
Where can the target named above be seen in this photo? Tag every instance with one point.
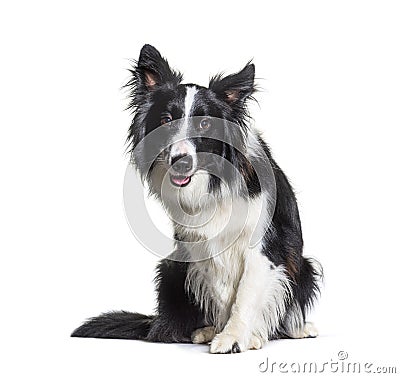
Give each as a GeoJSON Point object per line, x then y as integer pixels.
{"type": "Point", "coordinates": [235, 88]}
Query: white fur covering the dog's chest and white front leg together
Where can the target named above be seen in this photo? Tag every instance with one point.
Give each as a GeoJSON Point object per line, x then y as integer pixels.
{"type": "Point", "coordinates": [241, 292]}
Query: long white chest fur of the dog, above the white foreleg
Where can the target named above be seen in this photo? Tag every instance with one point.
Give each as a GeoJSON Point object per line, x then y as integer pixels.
{"type": "Point", "coordinates": [226, 232]}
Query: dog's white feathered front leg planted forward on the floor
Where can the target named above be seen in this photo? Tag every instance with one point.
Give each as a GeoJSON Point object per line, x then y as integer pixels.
{"type": "Point", "coordinates": [258, 306]}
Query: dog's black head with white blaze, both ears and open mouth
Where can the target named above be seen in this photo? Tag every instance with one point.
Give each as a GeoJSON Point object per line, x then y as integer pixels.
{"type": "Point", "coordinates": [185, 136]}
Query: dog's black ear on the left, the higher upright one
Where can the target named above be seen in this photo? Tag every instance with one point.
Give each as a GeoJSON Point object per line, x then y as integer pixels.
{"type": "Point", "coordinates": [153, 71]}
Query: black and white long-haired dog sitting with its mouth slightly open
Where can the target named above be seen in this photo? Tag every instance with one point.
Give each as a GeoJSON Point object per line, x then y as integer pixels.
{"type": "Point", "coordinates": [237, 277]}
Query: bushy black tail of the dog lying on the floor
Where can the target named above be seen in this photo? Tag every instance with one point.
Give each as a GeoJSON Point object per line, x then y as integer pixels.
{"type": "Point", "coordinates": [116, 325]}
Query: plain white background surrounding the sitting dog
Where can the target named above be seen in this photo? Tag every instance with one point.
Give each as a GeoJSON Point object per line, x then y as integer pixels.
{"type": "Point", "coordinates": [329, 110]}
